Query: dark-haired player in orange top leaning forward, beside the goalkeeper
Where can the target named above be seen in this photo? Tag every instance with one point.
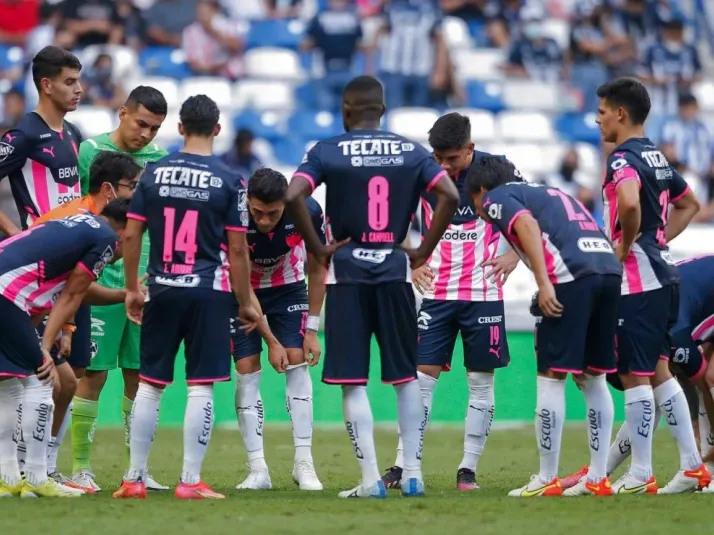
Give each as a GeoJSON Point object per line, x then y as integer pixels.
{"type": "Point", "coordinates": [114, 176]}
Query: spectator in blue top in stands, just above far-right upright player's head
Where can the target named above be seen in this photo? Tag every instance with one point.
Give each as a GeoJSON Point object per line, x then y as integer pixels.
{"type": "Point", "coordinates": [671, 66]}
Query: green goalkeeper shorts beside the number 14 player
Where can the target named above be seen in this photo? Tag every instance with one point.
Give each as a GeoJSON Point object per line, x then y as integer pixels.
{"type": "Point", "coordinates": [115, 340]}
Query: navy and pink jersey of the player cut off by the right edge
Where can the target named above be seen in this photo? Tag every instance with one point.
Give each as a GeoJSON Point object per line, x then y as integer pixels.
{"type": "Point", "coordinates": [696, 297]}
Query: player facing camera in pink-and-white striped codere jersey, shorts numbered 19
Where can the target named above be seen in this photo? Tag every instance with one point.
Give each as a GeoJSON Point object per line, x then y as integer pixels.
{"type": "Point", "coordinates": [459, 297]}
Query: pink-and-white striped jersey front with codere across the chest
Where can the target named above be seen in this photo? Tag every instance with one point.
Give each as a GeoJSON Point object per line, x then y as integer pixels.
{"type": "Point", "coordinates": [467, 243]}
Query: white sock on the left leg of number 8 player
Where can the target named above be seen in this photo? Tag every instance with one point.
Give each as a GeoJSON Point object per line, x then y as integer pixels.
{"type": "Point", "coordinates": [360, 428]}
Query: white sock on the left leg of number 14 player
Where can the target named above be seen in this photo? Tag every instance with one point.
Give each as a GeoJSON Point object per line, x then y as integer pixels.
{"type": "Point", "coordinates": [144, 420]}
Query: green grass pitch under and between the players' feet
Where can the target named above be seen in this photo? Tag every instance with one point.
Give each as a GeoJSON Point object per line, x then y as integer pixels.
{"type": "Point", "coordinates": [509, 460]}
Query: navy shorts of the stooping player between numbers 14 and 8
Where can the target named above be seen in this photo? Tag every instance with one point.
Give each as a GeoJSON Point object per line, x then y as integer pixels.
{"type": "Point", "coordinates": [286, 309]}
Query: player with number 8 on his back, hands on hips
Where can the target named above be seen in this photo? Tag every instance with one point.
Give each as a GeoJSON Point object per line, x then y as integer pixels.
{"type": "Point", "coordinates": [374, 180]}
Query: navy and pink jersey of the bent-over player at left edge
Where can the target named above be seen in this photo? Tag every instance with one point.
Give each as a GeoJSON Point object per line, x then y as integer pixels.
{"type": "Point", "coordinates": [35, 264]}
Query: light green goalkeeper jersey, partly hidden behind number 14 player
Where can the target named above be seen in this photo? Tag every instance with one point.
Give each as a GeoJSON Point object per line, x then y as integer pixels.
{"type": "Point", "coordinates": [113, 275]}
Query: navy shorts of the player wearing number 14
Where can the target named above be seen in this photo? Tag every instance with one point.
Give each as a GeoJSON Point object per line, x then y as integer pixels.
{"type": "Point", "coordinates": [199, 317]}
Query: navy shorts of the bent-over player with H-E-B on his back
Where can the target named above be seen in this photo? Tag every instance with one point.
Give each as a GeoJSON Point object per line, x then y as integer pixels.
{"type": "Point", "coordinates": [583, 338]}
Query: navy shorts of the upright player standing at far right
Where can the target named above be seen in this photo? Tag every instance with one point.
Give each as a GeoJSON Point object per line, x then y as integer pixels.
{"type": "Point", "coordinates": [644, 320]}
